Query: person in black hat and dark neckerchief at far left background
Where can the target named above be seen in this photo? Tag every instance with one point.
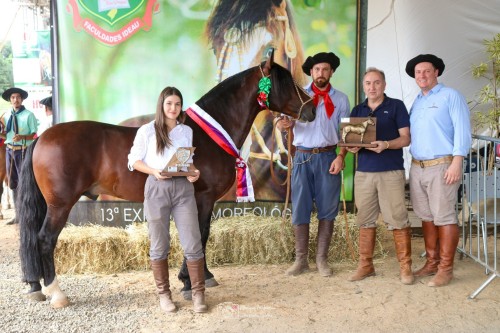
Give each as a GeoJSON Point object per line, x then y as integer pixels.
{"type": "Point", "coordinates": [20, 127]}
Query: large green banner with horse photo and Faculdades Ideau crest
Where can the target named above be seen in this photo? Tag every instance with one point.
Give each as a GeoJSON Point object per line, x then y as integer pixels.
{"type": "Point", "coordinates": [114, 57]}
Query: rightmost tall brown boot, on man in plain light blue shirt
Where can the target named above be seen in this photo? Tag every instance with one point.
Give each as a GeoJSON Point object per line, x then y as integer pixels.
{"type": "Point", "coordinates": [448, 242]}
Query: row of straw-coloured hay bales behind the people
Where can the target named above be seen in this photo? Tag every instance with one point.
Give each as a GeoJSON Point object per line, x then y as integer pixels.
{"type": "Point", "coordinates": [234, 240]}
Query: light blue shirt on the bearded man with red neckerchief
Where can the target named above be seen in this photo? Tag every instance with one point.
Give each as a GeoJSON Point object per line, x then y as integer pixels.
{"type": "Point", "coordinates": [322, 131]}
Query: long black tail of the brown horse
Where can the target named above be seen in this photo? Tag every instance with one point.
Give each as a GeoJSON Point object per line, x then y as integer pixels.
{"type": "Point", "coordinates": [31, 209]}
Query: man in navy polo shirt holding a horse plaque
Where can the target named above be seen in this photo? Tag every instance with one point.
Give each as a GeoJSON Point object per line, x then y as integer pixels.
{"type": "Point", "coordinates": [379, 182]}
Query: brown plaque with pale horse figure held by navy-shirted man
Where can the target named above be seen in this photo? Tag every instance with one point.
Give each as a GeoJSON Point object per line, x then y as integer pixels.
{"type": "Point", "coordinates": [358, 132]}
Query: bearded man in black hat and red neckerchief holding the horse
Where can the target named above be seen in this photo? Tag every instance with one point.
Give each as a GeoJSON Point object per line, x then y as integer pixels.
{"type": "Point", "coordinates": [315, 174]}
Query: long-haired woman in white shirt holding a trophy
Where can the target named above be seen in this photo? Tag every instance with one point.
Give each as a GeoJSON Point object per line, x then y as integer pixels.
{"type": "Point", "coordinates": [154, 146]}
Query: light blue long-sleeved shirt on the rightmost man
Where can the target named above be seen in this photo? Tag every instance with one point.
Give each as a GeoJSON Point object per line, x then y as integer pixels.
{"type": "Point", "coordinates": [440, 124]}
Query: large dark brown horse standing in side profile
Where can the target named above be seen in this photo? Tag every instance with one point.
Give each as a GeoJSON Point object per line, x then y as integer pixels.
{"type": "Point", "coordinates": [90, 158]}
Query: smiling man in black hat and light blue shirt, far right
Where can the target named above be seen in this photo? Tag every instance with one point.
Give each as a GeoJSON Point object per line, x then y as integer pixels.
{"type": "Point", "coordinates": [440, 138]}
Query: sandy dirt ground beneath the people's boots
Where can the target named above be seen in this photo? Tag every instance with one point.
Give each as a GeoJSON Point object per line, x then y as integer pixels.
{"type": "Point", "coordinates": [263, 299]}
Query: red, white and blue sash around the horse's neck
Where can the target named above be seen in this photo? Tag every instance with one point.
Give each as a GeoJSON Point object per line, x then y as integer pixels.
{"type": "Point", "coordinates": [244, 189]}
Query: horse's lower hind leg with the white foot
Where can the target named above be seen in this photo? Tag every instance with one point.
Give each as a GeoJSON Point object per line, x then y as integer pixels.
{"type": "Point", "coordinates": [47, 239]}
